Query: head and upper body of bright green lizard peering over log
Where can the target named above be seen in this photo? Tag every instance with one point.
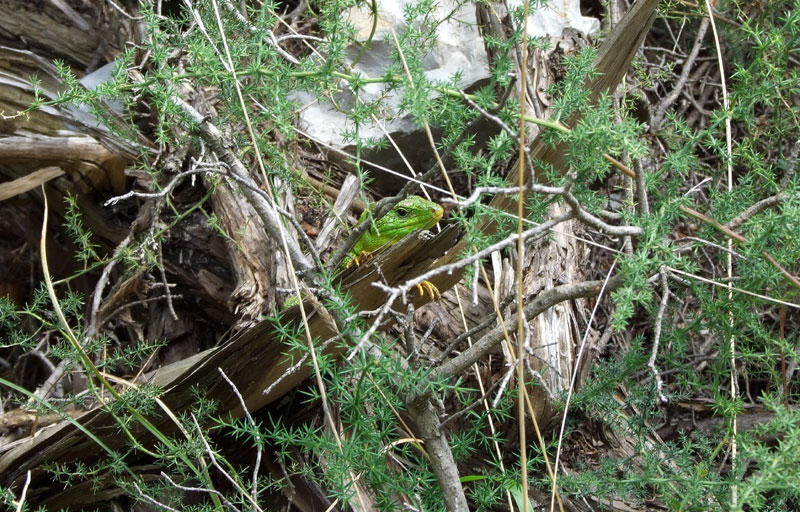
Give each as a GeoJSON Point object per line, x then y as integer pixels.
{"type": "Point", "coordinates": [409, 215]}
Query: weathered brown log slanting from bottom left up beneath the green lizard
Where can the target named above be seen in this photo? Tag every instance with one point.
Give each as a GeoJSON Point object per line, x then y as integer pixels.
{"type": "Point", "coordinates": [256, 361]}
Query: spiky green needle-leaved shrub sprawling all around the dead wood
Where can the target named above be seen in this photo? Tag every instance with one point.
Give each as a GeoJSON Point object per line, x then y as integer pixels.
{"type": "Point", "coordinates": [659, 384]}
